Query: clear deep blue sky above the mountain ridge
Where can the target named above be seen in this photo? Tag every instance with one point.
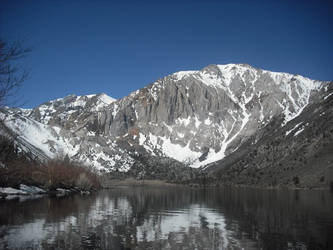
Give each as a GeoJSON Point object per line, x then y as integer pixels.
{"type": "Point", "coordinates": [115, 47]}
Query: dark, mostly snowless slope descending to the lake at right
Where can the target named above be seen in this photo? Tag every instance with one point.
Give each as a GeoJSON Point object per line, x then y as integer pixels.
{"type": "Point", "coordinates": [298, 154]}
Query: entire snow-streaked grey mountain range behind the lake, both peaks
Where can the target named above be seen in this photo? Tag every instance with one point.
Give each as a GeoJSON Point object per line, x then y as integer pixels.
{"type": "Point", "coordinates": [195, 117]}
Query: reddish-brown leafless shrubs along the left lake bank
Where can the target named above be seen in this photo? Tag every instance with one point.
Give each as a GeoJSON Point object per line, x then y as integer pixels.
{"type": "Point", "coordinates": [18, 168]}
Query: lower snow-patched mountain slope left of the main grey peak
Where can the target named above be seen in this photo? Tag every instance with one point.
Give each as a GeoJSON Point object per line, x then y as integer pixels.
{"type": "Point", "coordinates": [63, 127]}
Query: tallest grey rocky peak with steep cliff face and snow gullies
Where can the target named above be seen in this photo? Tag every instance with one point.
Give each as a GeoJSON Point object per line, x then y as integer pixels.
{"type": "Point", "coordinates": [199, 117]}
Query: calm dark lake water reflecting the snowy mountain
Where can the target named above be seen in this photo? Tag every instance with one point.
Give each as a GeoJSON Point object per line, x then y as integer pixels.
{"type": "Point", "coordinates": [171, 218]}
